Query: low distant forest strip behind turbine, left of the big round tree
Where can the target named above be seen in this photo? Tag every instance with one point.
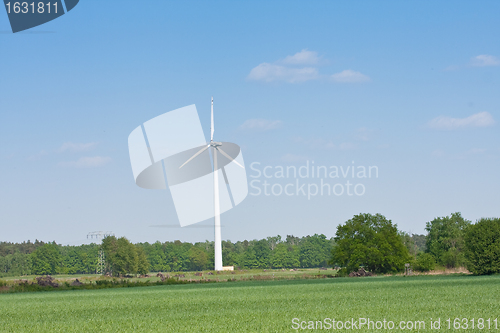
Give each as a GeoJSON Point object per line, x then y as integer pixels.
{"type": "Point", "coordinates": [123, 257]}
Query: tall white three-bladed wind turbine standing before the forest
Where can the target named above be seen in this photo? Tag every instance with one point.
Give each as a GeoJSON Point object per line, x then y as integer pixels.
{"type": "Point", "coordinates": [216, 148]}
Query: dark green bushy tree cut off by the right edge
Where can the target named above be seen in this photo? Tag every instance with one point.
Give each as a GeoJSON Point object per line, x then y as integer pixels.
{"type": "Point", "coordinates": [482, 242]}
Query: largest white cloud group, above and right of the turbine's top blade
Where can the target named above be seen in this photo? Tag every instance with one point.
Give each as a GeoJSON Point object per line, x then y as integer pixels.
{"type": "Point", "coordinates": [301, 67]}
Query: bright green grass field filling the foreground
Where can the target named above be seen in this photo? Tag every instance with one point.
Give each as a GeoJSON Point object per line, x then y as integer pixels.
{"type": "Point", "coordinates": [254, 306]}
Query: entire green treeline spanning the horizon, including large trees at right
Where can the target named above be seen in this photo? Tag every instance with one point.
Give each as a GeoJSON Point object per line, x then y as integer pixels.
{"type": "Point", "coordinates": [366, 240]}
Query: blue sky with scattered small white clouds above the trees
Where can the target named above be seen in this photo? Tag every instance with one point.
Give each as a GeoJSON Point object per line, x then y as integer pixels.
{"type": "Point", "coordinates": [409, 87]}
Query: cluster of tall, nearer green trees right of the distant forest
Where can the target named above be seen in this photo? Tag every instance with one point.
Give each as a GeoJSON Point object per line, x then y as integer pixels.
{"type": "Point", "coordinates": [374, 242]}
